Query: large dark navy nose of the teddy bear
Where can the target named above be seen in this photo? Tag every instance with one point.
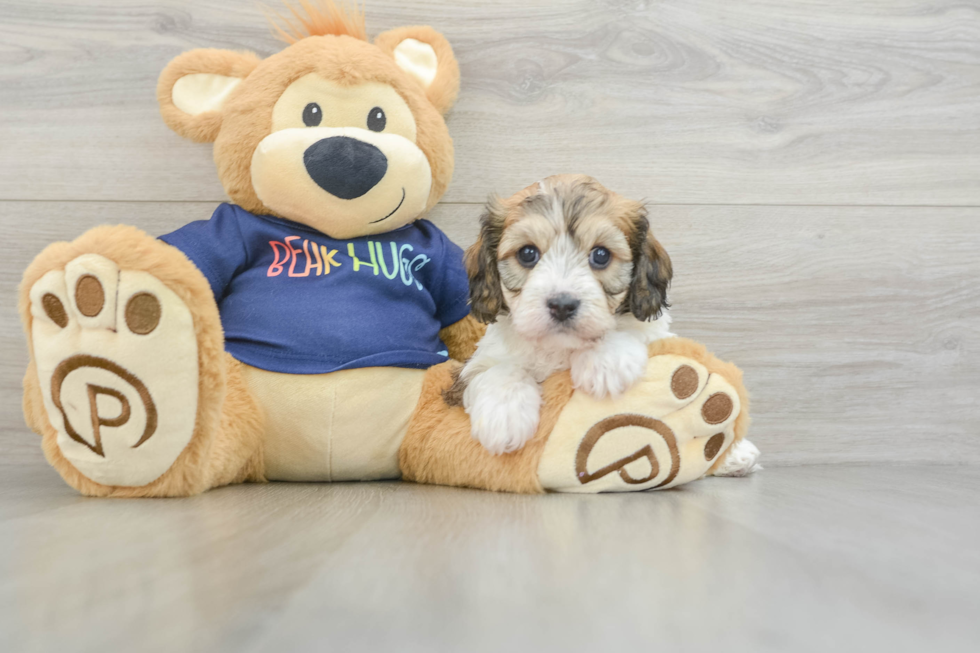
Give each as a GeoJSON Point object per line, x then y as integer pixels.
{"type": "Point", "coordinates": [344, 166]}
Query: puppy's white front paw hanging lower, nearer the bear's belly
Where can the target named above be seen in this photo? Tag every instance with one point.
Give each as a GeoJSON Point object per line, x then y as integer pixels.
{"type": "Point", "coordinates": [504, 407]}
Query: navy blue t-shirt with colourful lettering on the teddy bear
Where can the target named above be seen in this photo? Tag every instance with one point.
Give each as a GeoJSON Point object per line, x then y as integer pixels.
{"type": "Point", "coordinates": [295, 300]}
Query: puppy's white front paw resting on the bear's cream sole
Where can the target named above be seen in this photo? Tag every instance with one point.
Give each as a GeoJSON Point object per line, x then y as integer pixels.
{"type": "Point", "coordinates": [611, 367]}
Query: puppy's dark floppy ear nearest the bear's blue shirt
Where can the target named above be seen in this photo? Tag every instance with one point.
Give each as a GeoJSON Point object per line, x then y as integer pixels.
{"type": "Point", "coordinates": [486, 294]}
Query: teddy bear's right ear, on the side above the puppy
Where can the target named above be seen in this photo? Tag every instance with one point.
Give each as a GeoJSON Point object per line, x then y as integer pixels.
{"type": "Point", "coordinates": [426, 55]}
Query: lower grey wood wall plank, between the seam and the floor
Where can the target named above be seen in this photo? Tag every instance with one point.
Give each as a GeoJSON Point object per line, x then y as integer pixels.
{"type": "Point", "coordinates": [858, 328]}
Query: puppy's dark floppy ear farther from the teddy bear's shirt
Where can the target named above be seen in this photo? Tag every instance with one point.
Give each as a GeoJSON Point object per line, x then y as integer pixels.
{"type": "Point", "coordinates": [652, 271]}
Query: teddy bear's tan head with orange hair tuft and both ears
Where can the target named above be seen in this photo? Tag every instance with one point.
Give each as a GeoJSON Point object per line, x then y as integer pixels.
{"type": "Point", "coordinates": [334, 132]}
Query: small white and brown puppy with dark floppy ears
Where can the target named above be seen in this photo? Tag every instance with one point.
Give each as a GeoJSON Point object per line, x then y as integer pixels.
{"type": "Point", "coordinates": [569, 276]}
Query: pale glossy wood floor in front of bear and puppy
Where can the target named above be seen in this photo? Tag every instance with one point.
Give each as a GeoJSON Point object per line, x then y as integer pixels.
{"type": "Point", "coordinates": [843, 558]}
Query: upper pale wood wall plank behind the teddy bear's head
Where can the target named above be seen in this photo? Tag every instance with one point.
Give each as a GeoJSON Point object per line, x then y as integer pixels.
{"type": "Point", "coordinates": [680, 101]}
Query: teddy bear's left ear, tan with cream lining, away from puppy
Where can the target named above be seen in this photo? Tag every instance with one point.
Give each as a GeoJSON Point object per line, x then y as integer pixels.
{"type": "Point", "coordinates": [194, 86]}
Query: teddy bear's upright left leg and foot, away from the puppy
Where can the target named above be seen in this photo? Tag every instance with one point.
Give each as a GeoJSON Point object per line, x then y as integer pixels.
{"type": "Point", "coordinates": [128, 382]}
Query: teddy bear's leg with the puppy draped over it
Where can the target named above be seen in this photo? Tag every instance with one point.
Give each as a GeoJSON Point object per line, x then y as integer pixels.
{"type": "Point", "coordinates": [677, 424]}
